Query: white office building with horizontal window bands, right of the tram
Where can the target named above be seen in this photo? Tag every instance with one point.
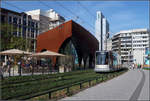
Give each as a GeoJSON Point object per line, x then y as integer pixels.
{"type": "Point", "coordinates": [131, 45]}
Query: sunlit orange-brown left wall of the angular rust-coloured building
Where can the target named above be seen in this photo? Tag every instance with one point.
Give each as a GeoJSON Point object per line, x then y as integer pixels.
{"type": "Point", "coordinates": [53, 39]}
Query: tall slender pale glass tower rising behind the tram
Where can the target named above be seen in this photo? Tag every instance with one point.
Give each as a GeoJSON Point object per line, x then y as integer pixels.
{"type": "Point", "coordinates": [101, 30]}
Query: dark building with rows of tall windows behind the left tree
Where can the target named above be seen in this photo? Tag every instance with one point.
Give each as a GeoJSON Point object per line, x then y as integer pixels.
{"type": "Point", "coordinates": [22, 25]}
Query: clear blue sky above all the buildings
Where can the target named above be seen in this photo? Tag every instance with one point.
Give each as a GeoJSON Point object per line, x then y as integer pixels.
{"type": "Point", "coordinates": [121, 15]}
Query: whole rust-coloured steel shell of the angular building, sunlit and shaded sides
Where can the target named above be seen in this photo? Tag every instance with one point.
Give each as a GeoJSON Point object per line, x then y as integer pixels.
{"type": "Point", "coordinates": [84, 42]}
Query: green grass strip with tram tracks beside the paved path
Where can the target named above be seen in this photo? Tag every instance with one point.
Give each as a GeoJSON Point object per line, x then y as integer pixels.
{"type": "Point", "coordinates": [22, 87]}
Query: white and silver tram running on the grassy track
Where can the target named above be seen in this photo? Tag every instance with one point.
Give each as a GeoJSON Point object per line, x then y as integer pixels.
{"type": "Point", "coordinates": [107, 61]}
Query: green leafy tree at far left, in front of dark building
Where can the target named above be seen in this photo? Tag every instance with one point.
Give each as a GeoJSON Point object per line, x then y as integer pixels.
{"type": "Point", "coordinates": [9, 41]}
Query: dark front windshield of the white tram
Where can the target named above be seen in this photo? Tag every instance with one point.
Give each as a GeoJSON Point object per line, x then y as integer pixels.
{"type": "Point", "coordinates": [101, 58]}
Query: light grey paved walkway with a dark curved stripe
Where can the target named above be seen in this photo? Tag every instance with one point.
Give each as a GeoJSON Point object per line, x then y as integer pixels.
{"type": "Point", "coordinates": [133, 85]}
